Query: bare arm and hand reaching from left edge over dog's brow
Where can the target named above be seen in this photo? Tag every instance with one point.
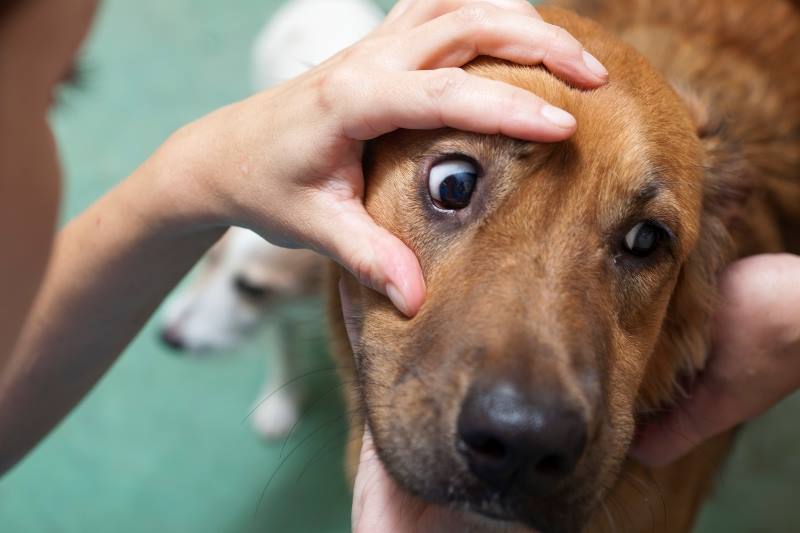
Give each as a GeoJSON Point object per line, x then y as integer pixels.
{"type": "Point", "coordinates": [285, 163]}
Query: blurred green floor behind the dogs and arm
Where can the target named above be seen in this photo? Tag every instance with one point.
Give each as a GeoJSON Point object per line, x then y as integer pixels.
{"type": "Point", "coordinates": [160, 445]}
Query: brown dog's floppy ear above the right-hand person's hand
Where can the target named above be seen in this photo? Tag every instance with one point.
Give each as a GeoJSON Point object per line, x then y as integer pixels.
{"type": "Point", "coordinates": [683, 346]}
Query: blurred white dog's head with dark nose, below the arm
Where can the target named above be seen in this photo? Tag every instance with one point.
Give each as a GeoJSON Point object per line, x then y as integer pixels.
{"type": "Point", "coordinates": [240, 280]}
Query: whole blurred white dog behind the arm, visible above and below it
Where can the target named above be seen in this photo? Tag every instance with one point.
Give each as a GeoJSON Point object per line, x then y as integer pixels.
{"type": "Point", "coordinates": [243, 278]}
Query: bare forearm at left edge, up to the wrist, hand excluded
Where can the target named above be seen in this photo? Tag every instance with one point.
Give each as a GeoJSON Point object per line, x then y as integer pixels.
{"type": "Point", "coordinates": [110, 269]}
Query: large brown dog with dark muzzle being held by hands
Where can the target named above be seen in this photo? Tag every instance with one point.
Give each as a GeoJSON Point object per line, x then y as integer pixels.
{"type": "Point", "coordinates": [570, 285]}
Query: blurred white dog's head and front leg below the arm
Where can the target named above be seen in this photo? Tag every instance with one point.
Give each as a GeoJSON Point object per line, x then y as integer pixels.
{"type": "Point", "coordinates": [241, 284]}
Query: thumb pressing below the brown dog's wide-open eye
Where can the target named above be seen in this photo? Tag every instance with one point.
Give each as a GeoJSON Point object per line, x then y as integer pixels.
{"type": "Point", "coordinates": [377, 258]}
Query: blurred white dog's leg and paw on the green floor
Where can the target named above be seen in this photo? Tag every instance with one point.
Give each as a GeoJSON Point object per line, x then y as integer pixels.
{"type": "Point", "coordinates": [279, 403]}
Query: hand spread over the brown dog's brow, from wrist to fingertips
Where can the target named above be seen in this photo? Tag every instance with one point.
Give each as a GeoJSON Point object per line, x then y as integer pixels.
{"type": "Point", "coordinates": [287, 162]}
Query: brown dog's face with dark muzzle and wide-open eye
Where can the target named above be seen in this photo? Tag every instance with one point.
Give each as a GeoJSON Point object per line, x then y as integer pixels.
{"type": "Point", "coordinates": [551, 272]}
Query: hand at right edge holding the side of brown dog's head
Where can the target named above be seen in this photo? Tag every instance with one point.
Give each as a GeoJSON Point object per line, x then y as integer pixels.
{"type": "Point", "coordinates": [754, 363]}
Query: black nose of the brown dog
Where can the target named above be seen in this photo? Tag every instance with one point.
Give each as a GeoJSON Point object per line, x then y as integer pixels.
{"type": "Point", "coordinates": [514, 436]}
